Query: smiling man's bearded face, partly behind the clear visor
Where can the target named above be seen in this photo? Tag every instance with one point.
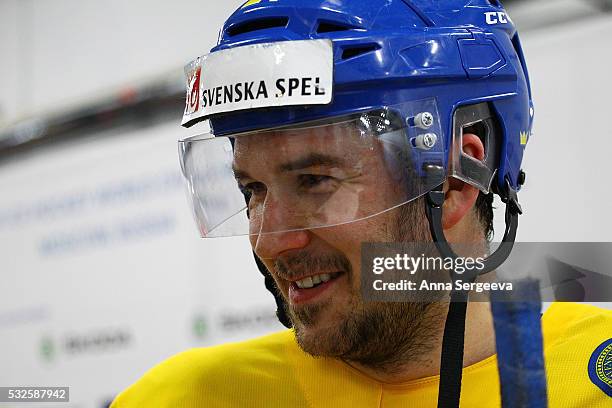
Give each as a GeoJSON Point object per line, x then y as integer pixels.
{"type": "Point", "coordinates": [305, 188]}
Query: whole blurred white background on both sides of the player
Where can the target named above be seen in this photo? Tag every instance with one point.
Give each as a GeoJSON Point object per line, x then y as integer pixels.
{"type": "Point", "coordinates": [102, 273]}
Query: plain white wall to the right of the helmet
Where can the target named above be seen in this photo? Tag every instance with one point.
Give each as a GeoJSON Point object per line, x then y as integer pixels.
{"type": "Point", "coordinates": [567, 197]}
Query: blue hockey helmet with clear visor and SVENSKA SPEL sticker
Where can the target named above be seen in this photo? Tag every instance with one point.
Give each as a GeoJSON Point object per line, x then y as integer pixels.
{"type": "Point", "coordinates": [410, 73]}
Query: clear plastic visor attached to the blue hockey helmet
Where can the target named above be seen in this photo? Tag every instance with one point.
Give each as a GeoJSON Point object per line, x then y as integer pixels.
{"type": "Point", "coordinates": [314, 175]}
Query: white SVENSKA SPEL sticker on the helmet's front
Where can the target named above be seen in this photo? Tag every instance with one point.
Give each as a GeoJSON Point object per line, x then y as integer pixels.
{"type": "Point", "coordinates": [259, 76]}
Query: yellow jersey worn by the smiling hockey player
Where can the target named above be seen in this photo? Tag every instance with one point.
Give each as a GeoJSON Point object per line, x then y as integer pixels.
{"type": "Point", "coordinates": [272, 371]}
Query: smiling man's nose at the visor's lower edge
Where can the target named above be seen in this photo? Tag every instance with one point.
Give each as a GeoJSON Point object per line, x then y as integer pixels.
{"type": "Point", "coordinates": [276, 228]}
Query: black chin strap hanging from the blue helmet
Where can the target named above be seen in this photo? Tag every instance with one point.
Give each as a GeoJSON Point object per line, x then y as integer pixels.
{"type": "Point", "coordinates": [451, 364]}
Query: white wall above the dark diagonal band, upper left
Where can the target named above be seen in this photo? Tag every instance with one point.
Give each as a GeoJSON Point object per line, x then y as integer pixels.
{"type": "Point", "coordinates": [61, 51]}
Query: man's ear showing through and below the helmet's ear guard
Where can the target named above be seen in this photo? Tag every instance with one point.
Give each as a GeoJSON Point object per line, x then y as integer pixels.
{"type": "Point", "coordinates": [460, 197]}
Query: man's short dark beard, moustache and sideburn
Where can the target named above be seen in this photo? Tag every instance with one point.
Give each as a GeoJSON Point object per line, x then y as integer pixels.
{"type": "Point", "coordinates": [382, 336]}
